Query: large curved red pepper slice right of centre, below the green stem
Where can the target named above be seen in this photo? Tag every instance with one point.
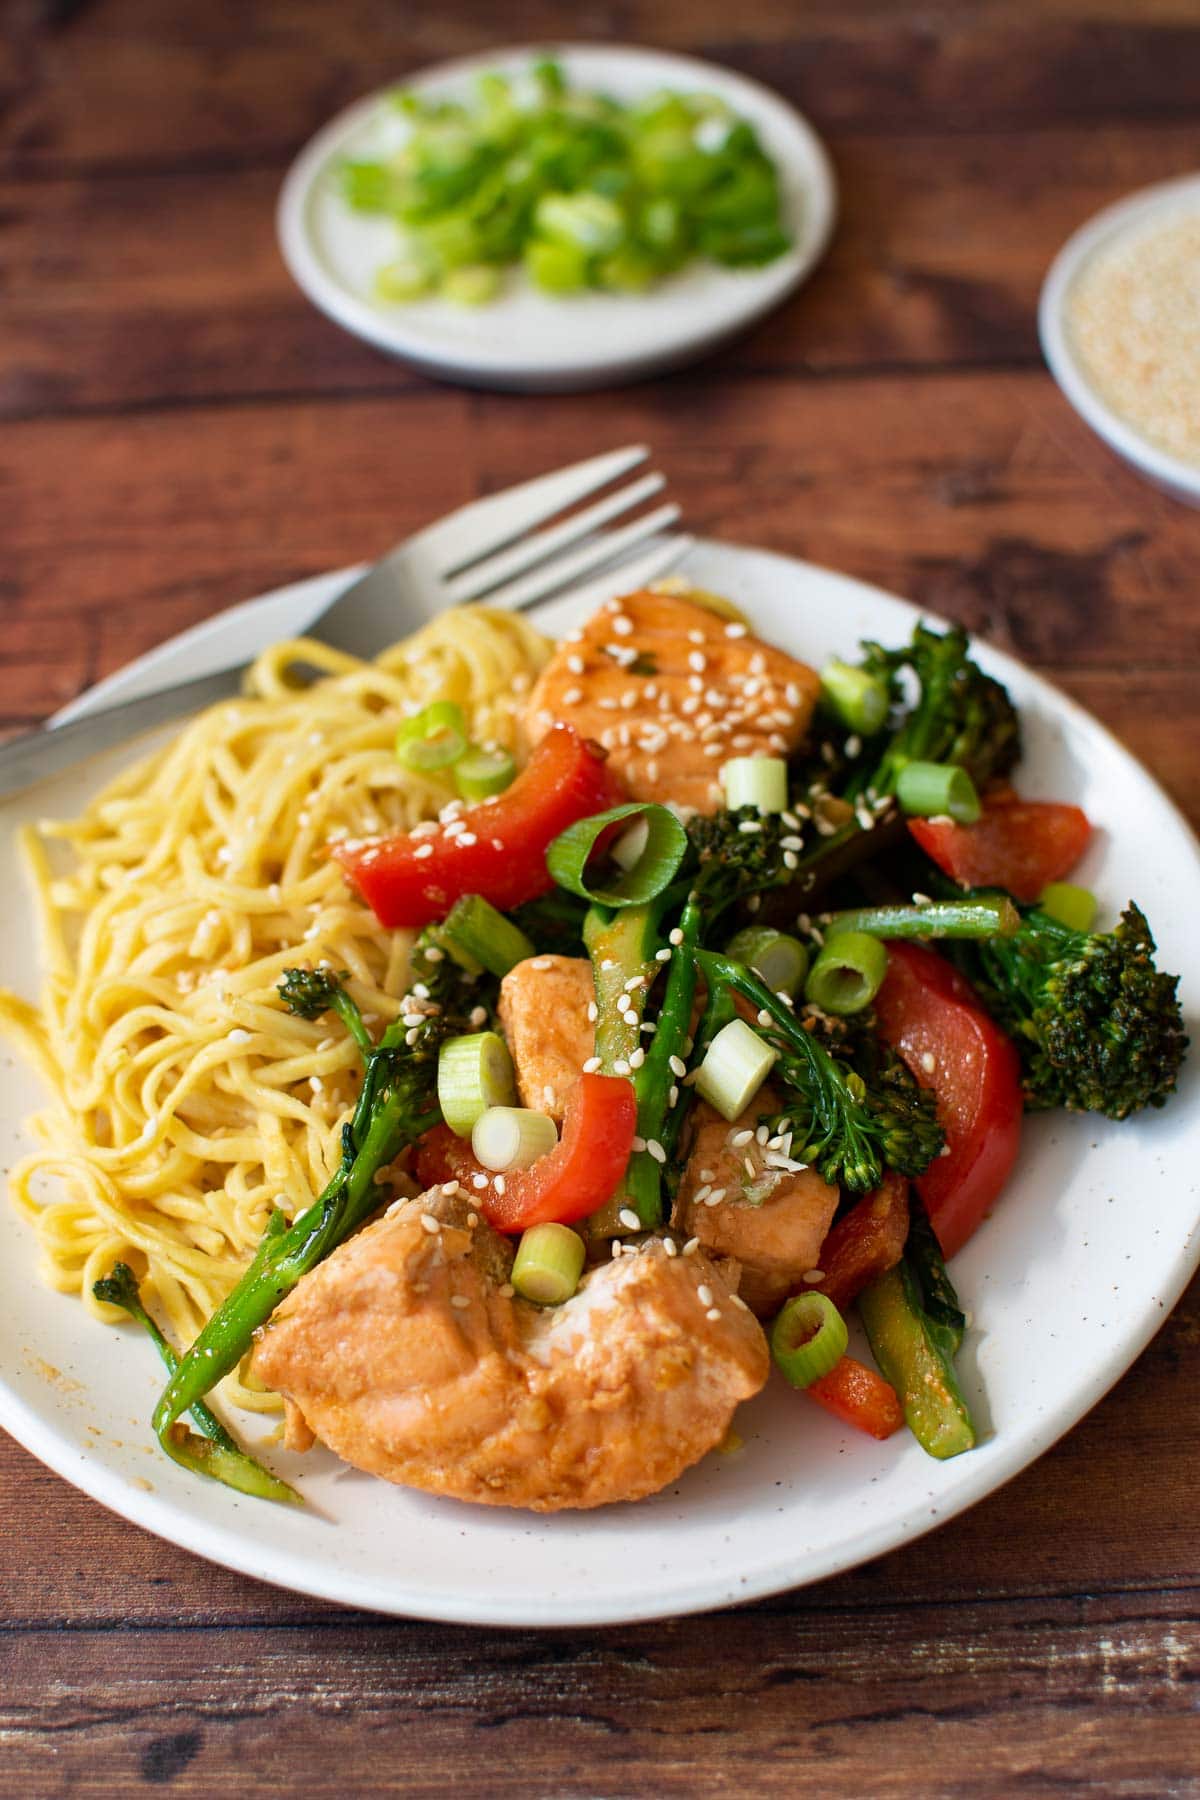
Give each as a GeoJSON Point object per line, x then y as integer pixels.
{"type": "Point", "coordinates": [933, 1018]}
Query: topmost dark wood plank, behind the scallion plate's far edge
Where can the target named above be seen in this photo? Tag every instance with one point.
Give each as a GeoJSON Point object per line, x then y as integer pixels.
{"type": "Point", "coordinates": [127, 85]}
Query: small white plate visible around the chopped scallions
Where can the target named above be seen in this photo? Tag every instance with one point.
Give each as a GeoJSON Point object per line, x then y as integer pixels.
{"type": "Point", "coordinates": [526, 339]}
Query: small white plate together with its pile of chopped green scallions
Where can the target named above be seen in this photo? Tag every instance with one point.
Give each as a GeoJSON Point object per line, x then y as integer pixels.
{"type": "Point", "coordinates": [600, 276]}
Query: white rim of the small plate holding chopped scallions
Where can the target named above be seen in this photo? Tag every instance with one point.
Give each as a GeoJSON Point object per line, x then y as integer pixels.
{"type": "Point", "coordinates": [661, 330]}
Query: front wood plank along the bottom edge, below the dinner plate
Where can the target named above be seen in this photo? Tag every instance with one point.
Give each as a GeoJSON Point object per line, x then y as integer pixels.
{"type": "Point", "coordinates": [978, 1702]}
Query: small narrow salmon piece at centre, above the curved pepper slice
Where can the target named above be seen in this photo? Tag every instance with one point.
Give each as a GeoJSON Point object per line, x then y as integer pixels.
{"type": "Point", "coordinates": [544, 1016]}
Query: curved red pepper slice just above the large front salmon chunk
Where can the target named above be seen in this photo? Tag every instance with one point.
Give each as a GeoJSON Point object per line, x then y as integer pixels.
{"type": "Point", "coordinates": [568, 1183]}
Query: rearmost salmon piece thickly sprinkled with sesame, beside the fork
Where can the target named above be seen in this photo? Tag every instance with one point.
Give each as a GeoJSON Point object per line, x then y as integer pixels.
{"type": "Point", "coordinates": [672, 692]}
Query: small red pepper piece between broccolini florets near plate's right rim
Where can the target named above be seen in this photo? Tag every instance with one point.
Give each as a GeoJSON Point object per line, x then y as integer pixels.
{"type": "Point", "coordinates": [1019, 845]}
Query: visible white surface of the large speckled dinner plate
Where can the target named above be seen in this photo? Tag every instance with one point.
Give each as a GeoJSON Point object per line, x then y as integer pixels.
{"type": "Point", "coordinates": [1089, 1248]}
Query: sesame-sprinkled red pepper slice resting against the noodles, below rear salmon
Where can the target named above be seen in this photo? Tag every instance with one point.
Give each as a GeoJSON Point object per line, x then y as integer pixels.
{"type": "Point", "coordinates": [497, 849]}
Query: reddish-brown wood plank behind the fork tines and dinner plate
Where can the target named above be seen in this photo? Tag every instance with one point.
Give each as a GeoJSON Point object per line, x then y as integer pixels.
{"type": "Point", "coordinates": [980, 498]}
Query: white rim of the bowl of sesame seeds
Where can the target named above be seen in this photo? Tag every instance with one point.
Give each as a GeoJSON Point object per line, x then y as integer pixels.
{"type": "Point", "coordinates": [1169, 472]}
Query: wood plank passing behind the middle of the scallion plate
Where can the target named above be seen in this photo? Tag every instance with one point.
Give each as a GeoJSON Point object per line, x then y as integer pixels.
{"type": "Point", "coordinates": [127, 292]}
